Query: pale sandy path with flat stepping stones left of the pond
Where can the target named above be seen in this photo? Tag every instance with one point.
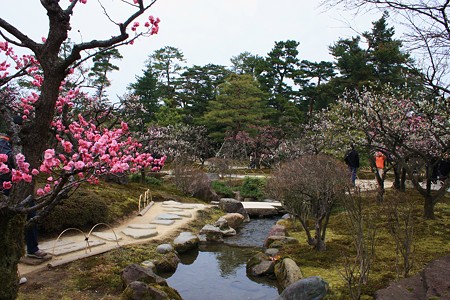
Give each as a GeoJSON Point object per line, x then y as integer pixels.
{"type": "Point", "coordinates": [160, 220]}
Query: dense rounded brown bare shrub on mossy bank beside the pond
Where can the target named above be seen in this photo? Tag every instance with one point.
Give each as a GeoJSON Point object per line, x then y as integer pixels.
{"type": "Point", "coordinates": [308, 187]}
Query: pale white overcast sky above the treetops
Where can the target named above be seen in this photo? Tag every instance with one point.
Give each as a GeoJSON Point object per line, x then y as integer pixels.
{"type": "Point", "coordinates": [206, 31]}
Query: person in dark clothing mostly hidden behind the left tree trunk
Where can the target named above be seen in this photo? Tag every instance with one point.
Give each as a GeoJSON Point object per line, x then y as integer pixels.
{"type": "Point", "coordinates": [31, 237]}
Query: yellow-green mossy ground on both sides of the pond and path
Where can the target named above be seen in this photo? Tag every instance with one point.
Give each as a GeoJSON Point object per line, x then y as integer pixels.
{"type": "Point", "coordinates": [99, 277]}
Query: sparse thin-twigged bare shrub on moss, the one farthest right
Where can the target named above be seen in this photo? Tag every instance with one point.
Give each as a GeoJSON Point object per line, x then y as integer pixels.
{"type": "Point", "coordinates": [400, 221]}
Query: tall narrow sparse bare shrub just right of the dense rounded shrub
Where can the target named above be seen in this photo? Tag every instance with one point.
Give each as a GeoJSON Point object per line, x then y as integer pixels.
{"type": "Point", "coordinates": [363, 233]}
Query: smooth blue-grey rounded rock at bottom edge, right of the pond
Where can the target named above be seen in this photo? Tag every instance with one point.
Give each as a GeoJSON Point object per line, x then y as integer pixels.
{"type": "Point", "coordinates": [310, 288]}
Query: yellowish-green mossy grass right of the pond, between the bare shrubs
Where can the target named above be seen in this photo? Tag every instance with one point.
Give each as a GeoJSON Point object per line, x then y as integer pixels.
{"type": "Point", "coordinates": [430, 242]}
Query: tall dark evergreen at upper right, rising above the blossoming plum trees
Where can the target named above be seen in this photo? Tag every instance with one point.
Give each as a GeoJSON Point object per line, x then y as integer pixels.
{"type": "Point", "coordinates": [381, 63]}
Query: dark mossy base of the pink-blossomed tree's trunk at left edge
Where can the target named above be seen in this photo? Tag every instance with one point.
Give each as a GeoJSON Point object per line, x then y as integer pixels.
{"type": "Point", "coordinates": [12, 249]}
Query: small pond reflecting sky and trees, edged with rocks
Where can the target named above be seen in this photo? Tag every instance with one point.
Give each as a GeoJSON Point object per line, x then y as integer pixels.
{"type": "Point", "coordinates": [218, 271]}
